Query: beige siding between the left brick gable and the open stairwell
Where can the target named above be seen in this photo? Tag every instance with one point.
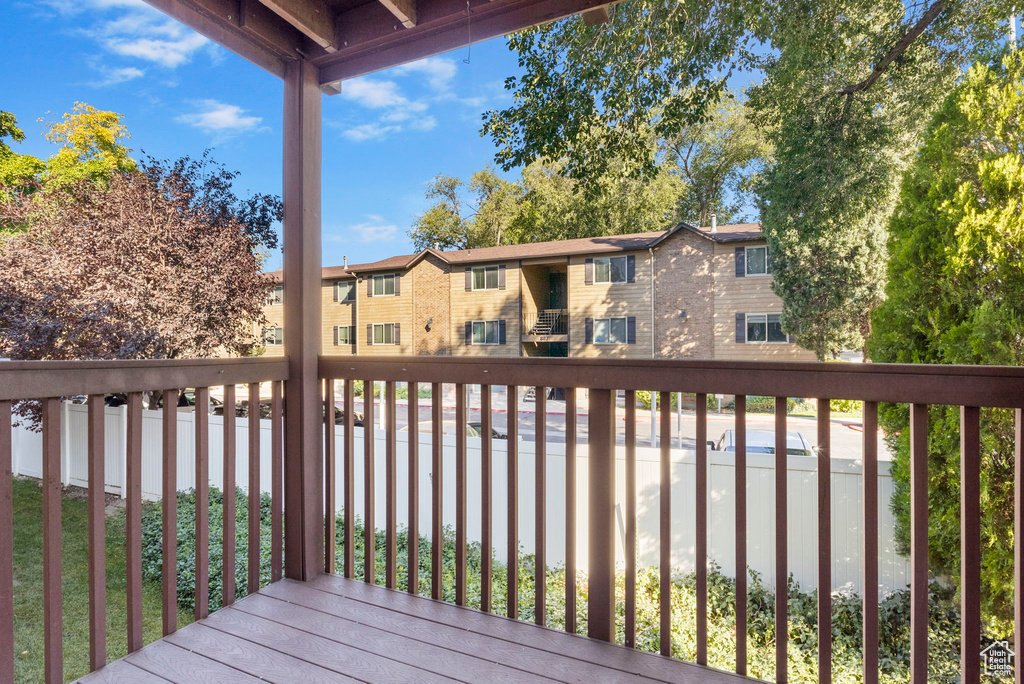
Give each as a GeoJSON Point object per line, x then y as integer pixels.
{"type": "Point", "coordinates": [486, 306]}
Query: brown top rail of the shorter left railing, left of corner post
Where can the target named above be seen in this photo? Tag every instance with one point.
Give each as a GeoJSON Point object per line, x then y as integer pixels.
{"type": "Point", "coordinates": [39, 379]}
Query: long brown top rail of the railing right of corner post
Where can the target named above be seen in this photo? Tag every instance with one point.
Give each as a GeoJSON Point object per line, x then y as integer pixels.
{"type": "Point", "coordinates": [934, 384]}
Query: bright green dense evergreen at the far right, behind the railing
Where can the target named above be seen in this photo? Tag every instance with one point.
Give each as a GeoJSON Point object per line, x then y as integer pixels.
{"type": "Point", "coordinates": [956, 295]}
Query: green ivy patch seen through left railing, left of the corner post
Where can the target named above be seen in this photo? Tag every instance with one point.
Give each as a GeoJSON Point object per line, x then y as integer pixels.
{"type": "Point", "coordinates": [153, 545]}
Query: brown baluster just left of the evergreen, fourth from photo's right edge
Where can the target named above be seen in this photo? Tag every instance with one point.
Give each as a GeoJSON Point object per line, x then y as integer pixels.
{"type": "Point", "coordinates": [871, 483]}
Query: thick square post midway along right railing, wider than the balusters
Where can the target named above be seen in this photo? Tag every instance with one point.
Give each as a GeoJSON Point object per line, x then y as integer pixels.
{"type": "Point", "coordinates": [602, 522]}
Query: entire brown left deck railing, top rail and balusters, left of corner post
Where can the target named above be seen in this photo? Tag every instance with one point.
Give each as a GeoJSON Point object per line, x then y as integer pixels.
{"type": "Point", "coordinates": [47, 384]}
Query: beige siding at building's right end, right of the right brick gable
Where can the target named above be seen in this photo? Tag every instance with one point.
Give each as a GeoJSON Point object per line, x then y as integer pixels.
{"type": "Point", "coordinates": [752, 294]}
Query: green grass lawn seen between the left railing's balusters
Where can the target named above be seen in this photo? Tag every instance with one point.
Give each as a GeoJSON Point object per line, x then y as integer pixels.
{"type": "Point", "coordinates": [29, 587]}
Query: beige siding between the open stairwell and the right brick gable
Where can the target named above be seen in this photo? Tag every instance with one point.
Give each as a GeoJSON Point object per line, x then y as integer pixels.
{"type": "Point", "coordinates": [595, 302]}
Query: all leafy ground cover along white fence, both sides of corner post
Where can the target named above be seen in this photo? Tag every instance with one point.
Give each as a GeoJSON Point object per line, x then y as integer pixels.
{"type": "Point", "coordinates": [894, 612]}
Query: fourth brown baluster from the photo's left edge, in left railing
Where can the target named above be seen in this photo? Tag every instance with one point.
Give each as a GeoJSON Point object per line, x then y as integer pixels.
{"type": "Point", "coordinates": [134, 524]}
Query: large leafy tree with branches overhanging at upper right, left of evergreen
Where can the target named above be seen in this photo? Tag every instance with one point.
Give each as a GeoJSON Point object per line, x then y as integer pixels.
{"type": "Point", "coordinates": [844, 85]}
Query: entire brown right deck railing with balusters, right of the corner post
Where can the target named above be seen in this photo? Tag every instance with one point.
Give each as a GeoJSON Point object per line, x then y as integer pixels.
{"type": "Point", "coordinates": [920, 387]}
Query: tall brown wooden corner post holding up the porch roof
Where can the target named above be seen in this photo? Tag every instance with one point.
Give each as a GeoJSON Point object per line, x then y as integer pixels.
{"type": "Point", "coordinates": [304, 430]}
